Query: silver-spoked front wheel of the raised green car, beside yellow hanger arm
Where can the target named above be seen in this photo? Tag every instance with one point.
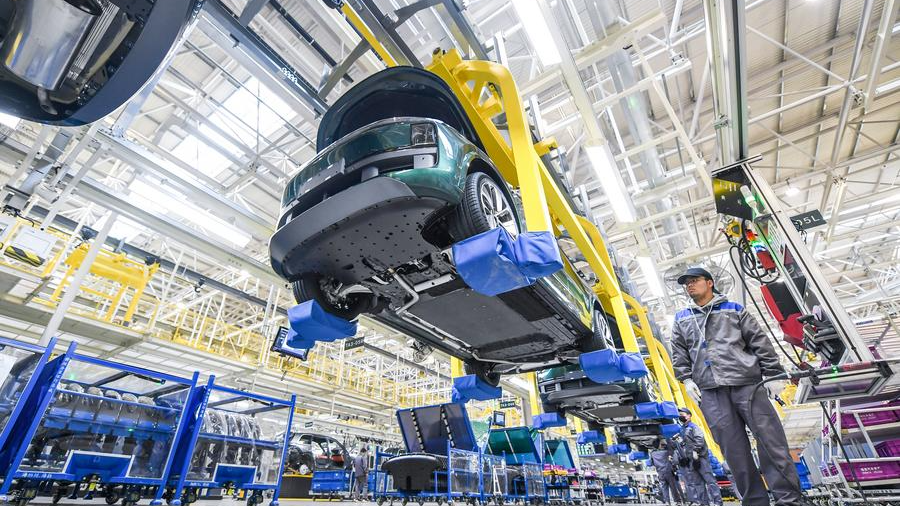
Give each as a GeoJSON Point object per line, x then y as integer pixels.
{"type": "Point", "coordinates": [484, 206]}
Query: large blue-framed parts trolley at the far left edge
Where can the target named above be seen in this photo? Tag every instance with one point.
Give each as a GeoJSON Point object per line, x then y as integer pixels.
{"type": "Point", "coordinates": [95, 427]}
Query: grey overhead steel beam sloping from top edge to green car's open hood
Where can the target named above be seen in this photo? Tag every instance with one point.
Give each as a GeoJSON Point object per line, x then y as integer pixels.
{"type": "Point", "coordinates": [246, 47]}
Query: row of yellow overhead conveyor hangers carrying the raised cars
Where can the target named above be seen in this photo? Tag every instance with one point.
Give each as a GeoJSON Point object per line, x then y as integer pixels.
{"type": "Point", "coordinates": [487, 92]}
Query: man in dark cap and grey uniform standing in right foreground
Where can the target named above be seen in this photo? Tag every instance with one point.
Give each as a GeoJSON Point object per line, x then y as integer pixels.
{"type": "Point", "coordinates": [721, 354]}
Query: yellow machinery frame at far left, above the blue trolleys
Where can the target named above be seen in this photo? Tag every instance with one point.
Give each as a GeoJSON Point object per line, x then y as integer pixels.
{"type": "Point", "coordinates": [118, 275]}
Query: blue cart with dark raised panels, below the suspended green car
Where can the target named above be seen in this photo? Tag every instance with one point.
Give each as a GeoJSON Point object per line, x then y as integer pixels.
{"type": "Point", "coordinates": [442, 463]}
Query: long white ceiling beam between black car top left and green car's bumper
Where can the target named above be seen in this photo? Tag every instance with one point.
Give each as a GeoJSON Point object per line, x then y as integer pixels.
{"type": "Point", "coordinates": [141, 159]}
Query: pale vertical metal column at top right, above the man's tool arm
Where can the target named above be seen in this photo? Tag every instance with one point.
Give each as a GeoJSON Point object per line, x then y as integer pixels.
{"type": "Point", "coordinates": [725, 30]}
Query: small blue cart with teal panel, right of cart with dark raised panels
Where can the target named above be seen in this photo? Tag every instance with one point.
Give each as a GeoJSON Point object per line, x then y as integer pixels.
{"type": "Point", "coordinates": [524, 469]}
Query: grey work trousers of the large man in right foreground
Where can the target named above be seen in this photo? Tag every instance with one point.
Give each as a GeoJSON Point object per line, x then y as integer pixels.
{"type": "Point", "coordinates": [727, 411]}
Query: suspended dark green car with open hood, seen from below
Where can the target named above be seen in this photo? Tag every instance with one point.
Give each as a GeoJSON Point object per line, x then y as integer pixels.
{"type": "Point", "coordinates": [367, 227]}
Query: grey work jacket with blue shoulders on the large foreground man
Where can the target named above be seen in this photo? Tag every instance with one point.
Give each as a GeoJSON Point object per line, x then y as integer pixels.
{"type": "Point", "coordinates": [720, 344]}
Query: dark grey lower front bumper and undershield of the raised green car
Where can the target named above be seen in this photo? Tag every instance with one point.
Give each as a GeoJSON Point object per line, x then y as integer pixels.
{"type": "Point", "coordinates": [356, 233]}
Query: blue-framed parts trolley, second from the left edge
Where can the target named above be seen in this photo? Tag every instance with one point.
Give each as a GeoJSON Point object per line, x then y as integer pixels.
{"type": "Point", "coordinates": [236, 441]}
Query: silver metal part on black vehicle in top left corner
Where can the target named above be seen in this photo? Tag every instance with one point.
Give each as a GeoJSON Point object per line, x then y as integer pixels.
{"type": "Point", "coordinates": [44, 37]}
